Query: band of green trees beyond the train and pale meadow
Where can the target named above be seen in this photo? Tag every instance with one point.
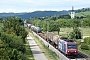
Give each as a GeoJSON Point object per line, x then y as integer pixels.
{"type": "Point", "coordinates": [53, 24]}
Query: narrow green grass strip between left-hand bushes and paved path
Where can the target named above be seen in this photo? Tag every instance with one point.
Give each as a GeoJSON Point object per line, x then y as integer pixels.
{"type": "Point", "coordinates": [28, 52]}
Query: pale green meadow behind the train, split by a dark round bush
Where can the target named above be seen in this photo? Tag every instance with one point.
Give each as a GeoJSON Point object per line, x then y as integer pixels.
{"type": "Point", "coordinates": [66, 31]}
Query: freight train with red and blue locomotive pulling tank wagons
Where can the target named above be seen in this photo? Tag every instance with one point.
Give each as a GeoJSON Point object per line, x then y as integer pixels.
{"type": "Point", "coordinates": [65, 45]}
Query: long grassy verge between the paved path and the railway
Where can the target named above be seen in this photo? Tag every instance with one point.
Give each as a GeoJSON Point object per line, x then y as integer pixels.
{"type": "Point", "coordinates": [48, 53]}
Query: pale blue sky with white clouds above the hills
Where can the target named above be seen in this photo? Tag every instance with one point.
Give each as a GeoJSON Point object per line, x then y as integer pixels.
{"type": "Point", "coordinates": [17, 6]}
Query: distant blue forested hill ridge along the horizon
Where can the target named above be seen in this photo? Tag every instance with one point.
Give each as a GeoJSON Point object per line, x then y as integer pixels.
{"type": "Point", "coordinates": [35, 14]}
